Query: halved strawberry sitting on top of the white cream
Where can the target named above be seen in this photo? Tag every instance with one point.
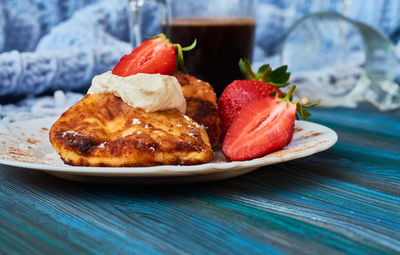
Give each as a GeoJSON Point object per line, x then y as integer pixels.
{"type": "Point", "coordinates": [156, 55]}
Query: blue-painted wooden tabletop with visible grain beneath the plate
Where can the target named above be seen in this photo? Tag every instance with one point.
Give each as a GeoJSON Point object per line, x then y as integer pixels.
{"type": "Point", "coordinates": [344, 200]}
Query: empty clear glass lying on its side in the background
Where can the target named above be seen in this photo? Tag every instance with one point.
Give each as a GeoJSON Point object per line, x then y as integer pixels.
{"type": "Point", "coordinates": [341, 62]}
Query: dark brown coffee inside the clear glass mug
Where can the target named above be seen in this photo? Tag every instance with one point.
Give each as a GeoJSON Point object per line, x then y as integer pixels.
{"type": "Point", "coordinates": [220, 45]}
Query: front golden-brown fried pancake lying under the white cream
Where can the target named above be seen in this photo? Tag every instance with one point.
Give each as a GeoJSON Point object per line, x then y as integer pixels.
{"type": "Point", "coordinates": [102, 130]}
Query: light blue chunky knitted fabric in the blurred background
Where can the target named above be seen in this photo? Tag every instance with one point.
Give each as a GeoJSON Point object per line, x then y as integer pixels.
{"type": "Point", "coordinates": [60, 45]}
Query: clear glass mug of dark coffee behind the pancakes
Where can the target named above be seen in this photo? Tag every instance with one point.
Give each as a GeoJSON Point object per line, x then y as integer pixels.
{"type": "Point", "coordinates": [224, 30]}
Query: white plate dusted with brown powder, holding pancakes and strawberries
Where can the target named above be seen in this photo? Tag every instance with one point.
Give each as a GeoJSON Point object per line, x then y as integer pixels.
{"type": "Point", "coordinates": [25, 144]}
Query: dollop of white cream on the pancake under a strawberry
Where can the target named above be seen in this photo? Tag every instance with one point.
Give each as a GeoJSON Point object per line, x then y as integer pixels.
{"type": "Point", "coordinates": [150, 92]}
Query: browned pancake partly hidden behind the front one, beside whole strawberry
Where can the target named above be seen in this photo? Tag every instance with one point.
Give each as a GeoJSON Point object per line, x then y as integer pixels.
{"type": "Point", "coordinates": [201, 104]}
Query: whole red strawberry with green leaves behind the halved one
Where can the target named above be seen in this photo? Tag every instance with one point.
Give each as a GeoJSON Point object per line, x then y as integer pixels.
{"type": "Point", "coordinates": [241, 92]}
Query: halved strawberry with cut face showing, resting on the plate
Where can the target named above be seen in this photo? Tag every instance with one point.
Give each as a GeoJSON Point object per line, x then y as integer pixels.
{"type": "Point", "coordinates": [263, 126]}
